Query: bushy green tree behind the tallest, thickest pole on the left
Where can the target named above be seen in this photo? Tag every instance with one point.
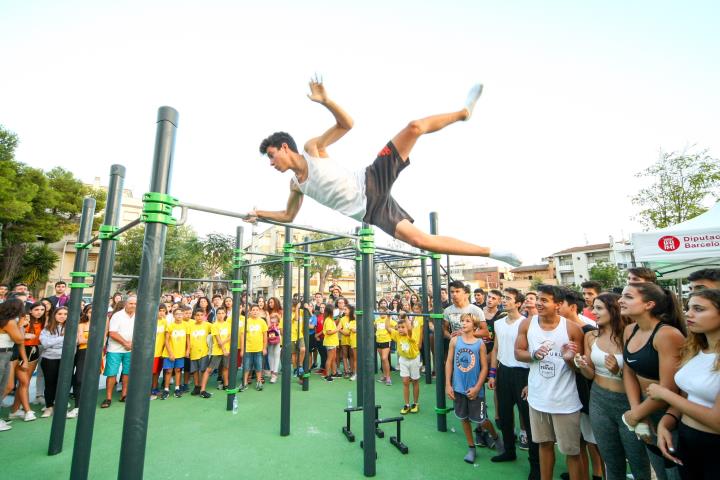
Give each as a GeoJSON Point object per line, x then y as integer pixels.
{"type": "Point", "coordinates": [183, 255]}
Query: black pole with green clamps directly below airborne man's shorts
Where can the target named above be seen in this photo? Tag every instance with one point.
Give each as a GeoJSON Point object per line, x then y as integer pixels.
{"type": "Point", "coordinates": [367, 249]}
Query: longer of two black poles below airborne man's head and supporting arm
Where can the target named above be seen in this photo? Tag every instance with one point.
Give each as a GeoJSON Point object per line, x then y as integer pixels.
{"type": "Point", "coordinates": [287, 322]}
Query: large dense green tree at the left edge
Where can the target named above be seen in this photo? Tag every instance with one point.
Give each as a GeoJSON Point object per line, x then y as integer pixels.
{"type": "Point", "coordinates": [36, 207]}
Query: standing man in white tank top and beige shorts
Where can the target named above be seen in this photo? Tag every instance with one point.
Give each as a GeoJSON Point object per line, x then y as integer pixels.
{"type": "Point", "coordinates": [549, 343]}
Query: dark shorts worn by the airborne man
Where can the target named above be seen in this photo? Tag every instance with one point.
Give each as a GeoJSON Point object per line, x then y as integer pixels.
{"type": "Point", "coordinates": [382, 210]}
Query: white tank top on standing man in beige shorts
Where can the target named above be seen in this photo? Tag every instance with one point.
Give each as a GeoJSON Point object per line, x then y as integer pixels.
{"type": "Point", "coordinates": [551, 383]}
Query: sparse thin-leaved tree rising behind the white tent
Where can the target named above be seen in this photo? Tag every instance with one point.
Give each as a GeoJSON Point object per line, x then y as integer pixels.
{"type": "Point", "coordinates": [683, 184]}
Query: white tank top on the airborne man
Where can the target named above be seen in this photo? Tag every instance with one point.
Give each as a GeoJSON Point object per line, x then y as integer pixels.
{"type": "Point", "coordinates": [335, 187]}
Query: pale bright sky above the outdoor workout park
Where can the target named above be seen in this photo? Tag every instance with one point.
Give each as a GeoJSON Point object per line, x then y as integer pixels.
{"type": "Point", "coordinates": [578, 97]}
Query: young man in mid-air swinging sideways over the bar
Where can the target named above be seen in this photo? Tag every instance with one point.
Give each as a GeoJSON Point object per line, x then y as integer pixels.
{"type": "Point", "coordinates": [366, 195]}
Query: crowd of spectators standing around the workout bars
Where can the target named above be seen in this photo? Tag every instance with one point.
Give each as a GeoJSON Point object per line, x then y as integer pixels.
{"type": "Point", "coordinates": [610, 379]}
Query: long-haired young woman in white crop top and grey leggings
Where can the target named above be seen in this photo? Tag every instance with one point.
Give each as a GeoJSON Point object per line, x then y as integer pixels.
{"type": "Point", "coordinates": [603, 364]}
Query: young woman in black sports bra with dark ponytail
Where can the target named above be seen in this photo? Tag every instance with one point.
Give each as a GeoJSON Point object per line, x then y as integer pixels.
{"type": "Point", "coordinates": [651, 354]}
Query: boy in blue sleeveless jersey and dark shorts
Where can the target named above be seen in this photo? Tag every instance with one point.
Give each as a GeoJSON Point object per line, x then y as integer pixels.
{"type": "Point", "coordinates": [465, 370]}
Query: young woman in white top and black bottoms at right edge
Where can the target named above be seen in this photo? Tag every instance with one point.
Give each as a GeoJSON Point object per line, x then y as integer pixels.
{"type": "Point", "coordinates": [695, 414]}
